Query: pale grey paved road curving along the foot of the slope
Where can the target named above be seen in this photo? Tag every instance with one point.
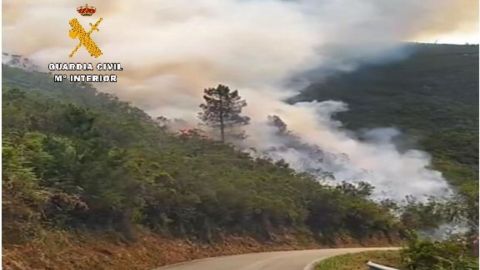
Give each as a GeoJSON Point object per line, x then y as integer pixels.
{"type": "Point", "coordinates": [279, 260]}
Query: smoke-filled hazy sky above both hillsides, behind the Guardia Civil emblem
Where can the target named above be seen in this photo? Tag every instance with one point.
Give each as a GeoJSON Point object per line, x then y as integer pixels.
{"type": "Point", "coordinates": [183, 46]}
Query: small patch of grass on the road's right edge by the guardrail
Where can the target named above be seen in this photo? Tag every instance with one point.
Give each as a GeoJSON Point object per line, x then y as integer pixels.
{"type": "Point", "coordinates": [358, 261]}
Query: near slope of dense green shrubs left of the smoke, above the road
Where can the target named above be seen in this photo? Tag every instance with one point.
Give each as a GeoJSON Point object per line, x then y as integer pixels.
{"type": "Point", "coordinates": [77, 159]}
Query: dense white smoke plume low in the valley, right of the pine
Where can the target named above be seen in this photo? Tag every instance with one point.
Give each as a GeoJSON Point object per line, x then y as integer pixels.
{"type": "Point", "coordinates": [323, 148]}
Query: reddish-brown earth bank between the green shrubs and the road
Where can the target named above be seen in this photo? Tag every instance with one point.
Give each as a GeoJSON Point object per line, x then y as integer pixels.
{"type": "Point", "coordinates": [68, 251]}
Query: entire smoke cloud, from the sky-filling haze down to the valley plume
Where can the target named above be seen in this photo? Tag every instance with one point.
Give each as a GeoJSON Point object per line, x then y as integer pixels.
{"type": "Point", "coordinates": [171, 50]}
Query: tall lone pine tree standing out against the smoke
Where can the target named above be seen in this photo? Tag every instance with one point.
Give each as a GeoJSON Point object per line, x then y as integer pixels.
{"type": "Point", "coordinates": [222, 109]}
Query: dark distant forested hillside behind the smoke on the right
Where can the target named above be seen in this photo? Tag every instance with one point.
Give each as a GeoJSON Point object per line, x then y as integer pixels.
{"type": "Point", "coordinates": [432, 96]}
